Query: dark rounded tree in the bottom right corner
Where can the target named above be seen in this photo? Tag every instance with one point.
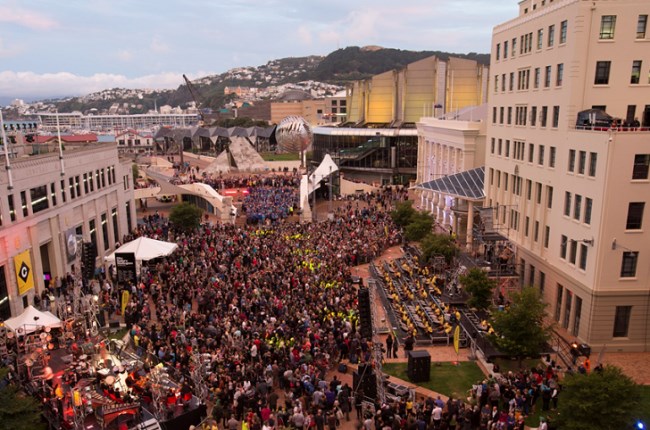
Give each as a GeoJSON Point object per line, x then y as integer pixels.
{"type": "Point", "coordinates": [605, 399]}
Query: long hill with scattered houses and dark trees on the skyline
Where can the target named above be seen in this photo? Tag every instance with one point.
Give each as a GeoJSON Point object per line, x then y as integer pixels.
{"type": "Point", "coordinates": [338, 68]}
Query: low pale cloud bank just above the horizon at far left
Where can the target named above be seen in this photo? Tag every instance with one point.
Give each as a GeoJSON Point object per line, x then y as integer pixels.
{"type": "Point", "coordinates": [32, 86]}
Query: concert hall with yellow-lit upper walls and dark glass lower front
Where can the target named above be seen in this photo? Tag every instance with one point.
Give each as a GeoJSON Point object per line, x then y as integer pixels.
{"type": "Point", "coordinates": [378, 143]}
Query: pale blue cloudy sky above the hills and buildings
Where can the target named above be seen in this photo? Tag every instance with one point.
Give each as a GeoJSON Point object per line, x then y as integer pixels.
{"type": "Point", "coordinates": [74, 47]}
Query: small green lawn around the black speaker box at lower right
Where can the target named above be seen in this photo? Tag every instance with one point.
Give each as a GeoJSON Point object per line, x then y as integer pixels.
{"type": "Point", "coordinates": [445, 378]}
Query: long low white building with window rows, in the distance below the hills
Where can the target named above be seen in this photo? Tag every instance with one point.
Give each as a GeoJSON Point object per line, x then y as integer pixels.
{"type": "Point", "coordinates": [75, 121]}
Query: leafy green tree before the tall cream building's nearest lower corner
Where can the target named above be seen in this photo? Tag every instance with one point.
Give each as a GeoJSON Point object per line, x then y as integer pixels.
{"type": "Point", "coordinates": [520, 330]}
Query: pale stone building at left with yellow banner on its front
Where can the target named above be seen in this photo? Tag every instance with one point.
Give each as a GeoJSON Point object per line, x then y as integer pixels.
{"type": "Point", "coordinates": [47, 204]}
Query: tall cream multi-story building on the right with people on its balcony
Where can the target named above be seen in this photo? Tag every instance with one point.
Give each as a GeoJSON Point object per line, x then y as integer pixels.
{"type": "Point", "coordinates": [569, 192]}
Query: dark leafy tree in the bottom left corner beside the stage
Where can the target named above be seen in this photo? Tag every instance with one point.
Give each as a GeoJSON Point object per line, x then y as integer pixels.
{"type": "Point", "coordinates": [18, 411]}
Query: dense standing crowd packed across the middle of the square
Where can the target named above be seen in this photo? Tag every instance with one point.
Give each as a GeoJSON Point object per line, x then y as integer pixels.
{"type": "Point", "coordinates": [268, 310]}
